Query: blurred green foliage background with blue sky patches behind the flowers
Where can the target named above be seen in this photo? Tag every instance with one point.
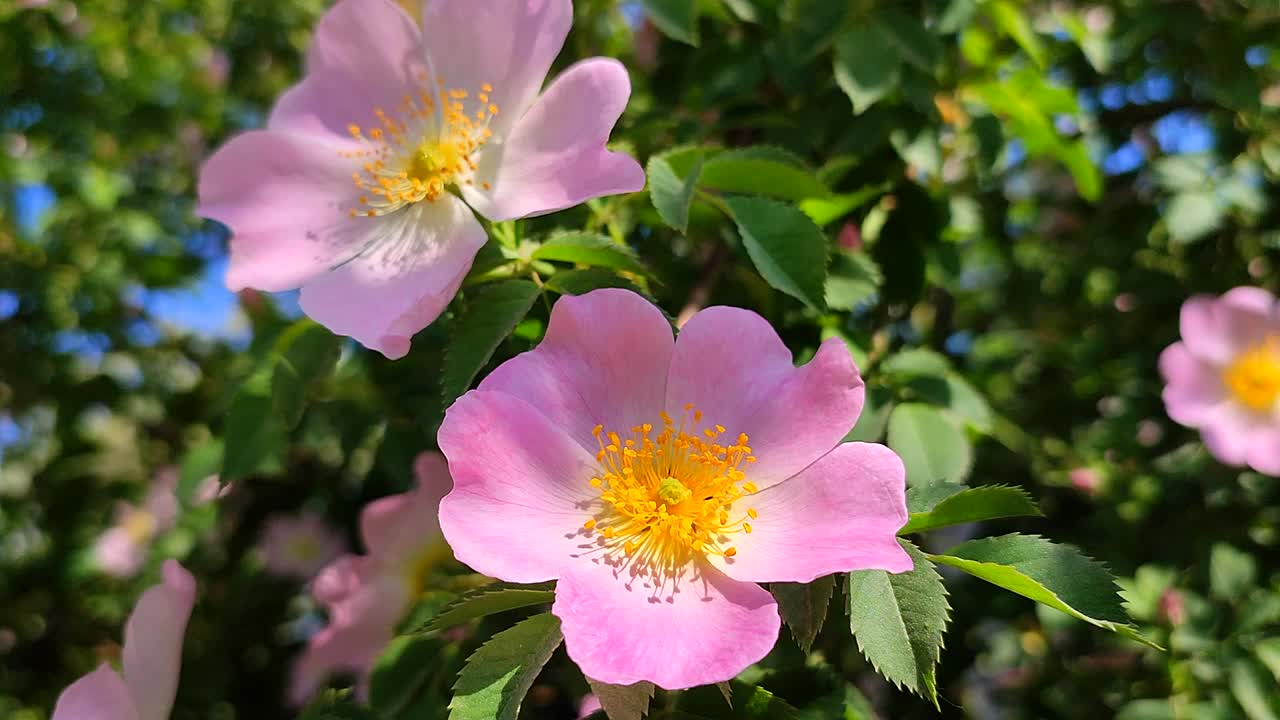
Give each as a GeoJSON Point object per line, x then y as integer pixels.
{"type": "Point", "coordinates": [1032, 189]}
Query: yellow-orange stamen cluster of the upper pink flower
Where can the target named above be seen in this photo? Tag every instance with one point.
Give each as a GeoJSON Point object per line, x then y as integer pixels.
{"type": "Point", "coordinates": [423, 149]}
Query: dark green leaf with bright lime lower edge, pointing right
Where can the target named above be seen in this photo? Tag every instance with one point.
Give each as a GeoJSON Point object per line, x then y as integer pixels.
{"type": "Point", "coordinates": [1058, 576]}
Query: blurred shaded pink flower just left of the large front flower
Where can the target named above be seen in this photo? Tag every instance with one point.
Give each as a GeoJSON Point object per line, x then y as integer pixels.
{"type": "Point", "coordinates": [368, 595]}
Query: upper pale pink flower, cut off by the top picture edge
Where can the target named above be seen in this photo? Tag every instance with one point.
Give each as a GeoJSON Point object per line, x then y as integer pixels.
{"type": "Point", "coordinates": [363, 188]}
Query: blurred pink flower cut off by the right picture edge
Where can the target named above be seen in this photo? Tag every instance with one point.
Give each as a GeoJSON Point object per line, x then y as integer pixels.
{"type": "Point", "coordinates": [1224, 377]}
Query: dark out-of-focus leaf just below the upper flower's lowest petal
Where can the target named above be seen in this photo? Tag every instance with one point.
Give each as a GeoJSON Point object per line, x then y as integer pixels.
{"type": "Point", "coordinates": [308, 354]}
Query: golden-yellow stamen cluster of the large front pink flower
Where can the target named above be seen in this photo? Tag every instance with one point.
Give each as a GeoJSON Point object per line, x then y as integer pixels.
{"type": "Point", "coordinates": [669, 499]}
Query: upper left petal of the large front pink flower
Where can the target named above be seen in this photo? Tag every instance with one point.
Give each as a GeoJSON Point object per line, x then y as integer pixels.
{"type": "Point", "coordinates": [605, 361]}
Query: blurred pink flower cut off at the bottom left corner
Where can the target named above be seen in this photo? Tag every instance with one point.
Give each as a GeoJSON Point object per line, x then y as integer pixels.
{"type": "Point", "coordinates": [153, 655]}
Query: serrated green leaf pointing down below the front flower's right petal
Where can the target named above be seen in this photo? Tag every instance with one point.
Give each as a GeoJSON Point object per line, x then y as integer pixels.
{"type": "Point", "coordinates": [899, 621]}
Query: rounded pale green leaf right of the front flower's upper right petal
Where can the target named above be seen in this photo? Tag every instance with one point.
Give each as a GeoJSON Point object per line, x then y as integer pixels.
{"type": "Point", "coordinates": [931, 446]}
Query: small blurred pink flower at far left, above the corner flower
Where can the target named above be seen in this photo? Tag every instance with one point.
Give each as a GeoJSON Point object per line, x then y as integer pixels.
{"type": "Point", "coordinates": [122, 549]}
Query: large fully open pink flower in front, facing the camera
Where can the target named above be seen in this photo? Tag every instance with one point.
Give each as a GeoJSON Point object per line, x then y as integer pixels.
{"type": "Point", "coordinates": [661, 480]}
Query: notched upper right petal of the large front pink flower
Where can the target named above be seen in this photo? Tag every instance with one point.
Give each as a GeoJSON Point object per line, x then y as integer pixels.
{"type": "Point", "coordinates": [734, 367]}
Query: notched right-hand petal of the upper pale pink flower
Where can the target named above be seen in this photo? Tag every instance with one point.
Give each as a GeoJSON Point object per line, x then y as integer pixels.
{"type": "Point", "coordinates": [555, 157]}
